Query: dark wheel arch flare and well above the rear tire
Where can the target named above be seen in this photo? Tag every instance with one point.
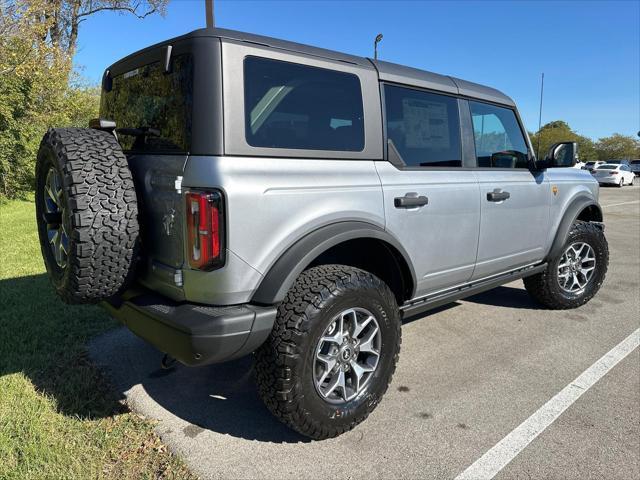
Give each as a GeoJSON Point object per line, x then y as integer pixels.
{"type": "Point", "coordinates": [358, 244]}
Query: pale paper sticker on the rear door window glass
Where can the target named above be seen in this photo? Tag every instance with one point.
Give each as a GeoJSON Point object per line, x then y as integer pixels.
{"type": "Point", "coordinates": [426, 123]}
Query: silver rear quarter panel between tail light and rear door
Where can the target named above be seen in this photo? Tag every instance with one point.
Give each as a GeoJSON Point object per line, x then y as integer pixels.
{"type": "Point", "coordinates": [271, 204]}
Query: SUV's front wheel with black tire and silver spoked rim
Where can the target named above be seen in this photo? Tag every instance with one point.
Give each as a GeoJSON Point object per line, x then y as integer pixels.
{"type": "Point", "coordinates": [575, 276]}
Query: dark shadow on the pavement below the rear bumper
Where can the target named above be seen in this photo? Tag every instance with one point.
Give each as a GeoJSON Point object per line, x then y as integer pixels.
{"type": "Point", "coordinates": [221, 398]}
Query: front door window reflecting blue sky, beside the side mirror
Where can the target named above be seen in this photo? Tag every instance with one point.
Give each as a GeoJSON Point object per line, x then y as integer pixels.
{"type": "Point", "coordinates": [499, 140]}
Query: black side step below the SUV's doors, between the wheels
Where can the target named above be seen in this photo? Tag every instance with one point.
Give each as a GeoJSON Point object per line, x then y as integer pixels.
{"type": "Point", "coordinates": [429, 302]}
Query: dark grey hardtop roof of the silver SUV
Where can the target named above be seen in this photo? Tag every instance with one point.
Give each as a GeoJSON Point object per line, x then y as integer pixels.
{"type": "Point", "coordinates": [387, 71]}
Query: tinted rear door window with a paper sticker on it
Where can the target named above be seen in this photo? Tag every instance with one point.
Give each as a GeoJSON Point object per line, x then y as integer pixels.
{"type": "Point", "coordinates": [424, 127]}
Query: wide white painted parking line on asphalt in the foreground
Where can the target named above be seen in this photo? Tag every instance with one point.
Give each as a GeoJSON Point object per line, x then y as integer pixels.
{"type": "Point", "coordinates": [487, 466]}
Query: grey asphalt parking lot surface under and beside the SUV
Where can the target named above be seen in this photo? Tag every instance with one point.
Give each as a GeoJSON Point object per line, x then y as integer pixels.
{"type": "Point", "coordinates": [469, 374]}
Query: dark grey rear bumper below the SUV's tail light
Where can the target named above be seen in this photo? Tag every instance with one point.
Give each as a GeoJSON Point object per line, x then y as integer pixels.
{"type": "Point", "coordinates": [194, 334]}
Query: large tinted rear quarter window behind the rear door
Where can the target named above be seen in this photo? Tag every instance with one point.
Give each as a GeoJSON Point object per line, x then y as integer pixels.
{"type": "Point", "coordinates": [288, 105]}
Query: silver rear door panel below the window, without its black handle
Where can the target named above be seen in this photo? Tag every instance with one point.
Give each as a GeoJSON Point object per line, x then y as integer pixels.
{"type": "Point", "coordinates": [442, 236]}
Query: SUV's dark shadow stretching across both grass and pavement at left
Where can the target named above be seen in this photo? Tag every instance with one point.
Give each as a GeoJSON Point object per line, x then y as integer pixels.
{"type": "Point", "coordinates": [47, 341]}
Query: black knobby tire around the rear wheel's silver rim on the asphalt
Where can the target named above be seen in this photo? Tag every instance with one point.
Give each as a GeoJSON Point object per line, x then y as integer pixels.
{"type": "Point", "coordinates": [284, 362]}
